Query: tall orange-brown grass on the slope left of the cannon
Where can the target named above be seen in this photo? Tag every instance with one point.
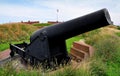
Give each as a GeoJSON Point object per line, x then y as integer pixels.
{"type": "Point", "coordinates": [15, 32]}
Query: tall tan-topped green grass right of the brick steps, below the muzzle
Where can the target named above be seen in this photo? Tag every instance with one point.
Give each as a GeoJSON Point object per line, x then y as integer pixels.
{"type": "Point", "coordinates": [106, 60]}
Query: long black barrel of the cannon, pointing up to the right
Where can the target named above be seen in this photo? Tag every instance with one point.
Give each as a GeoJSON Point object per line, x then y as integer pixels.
{"type": "Point", "coordinates": [76, 26]}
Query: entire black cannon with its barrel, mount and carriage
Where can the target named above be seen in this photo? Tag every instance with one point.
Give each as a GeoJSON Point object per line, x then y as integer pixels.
{"type": "Point", "coordinates": [48, 45]}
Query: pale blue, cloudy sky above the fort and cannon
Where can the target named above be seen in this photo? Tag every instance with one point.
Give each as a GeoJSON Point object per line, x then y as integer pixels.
{"type": "Point", "coordinates": [46, 10]}
